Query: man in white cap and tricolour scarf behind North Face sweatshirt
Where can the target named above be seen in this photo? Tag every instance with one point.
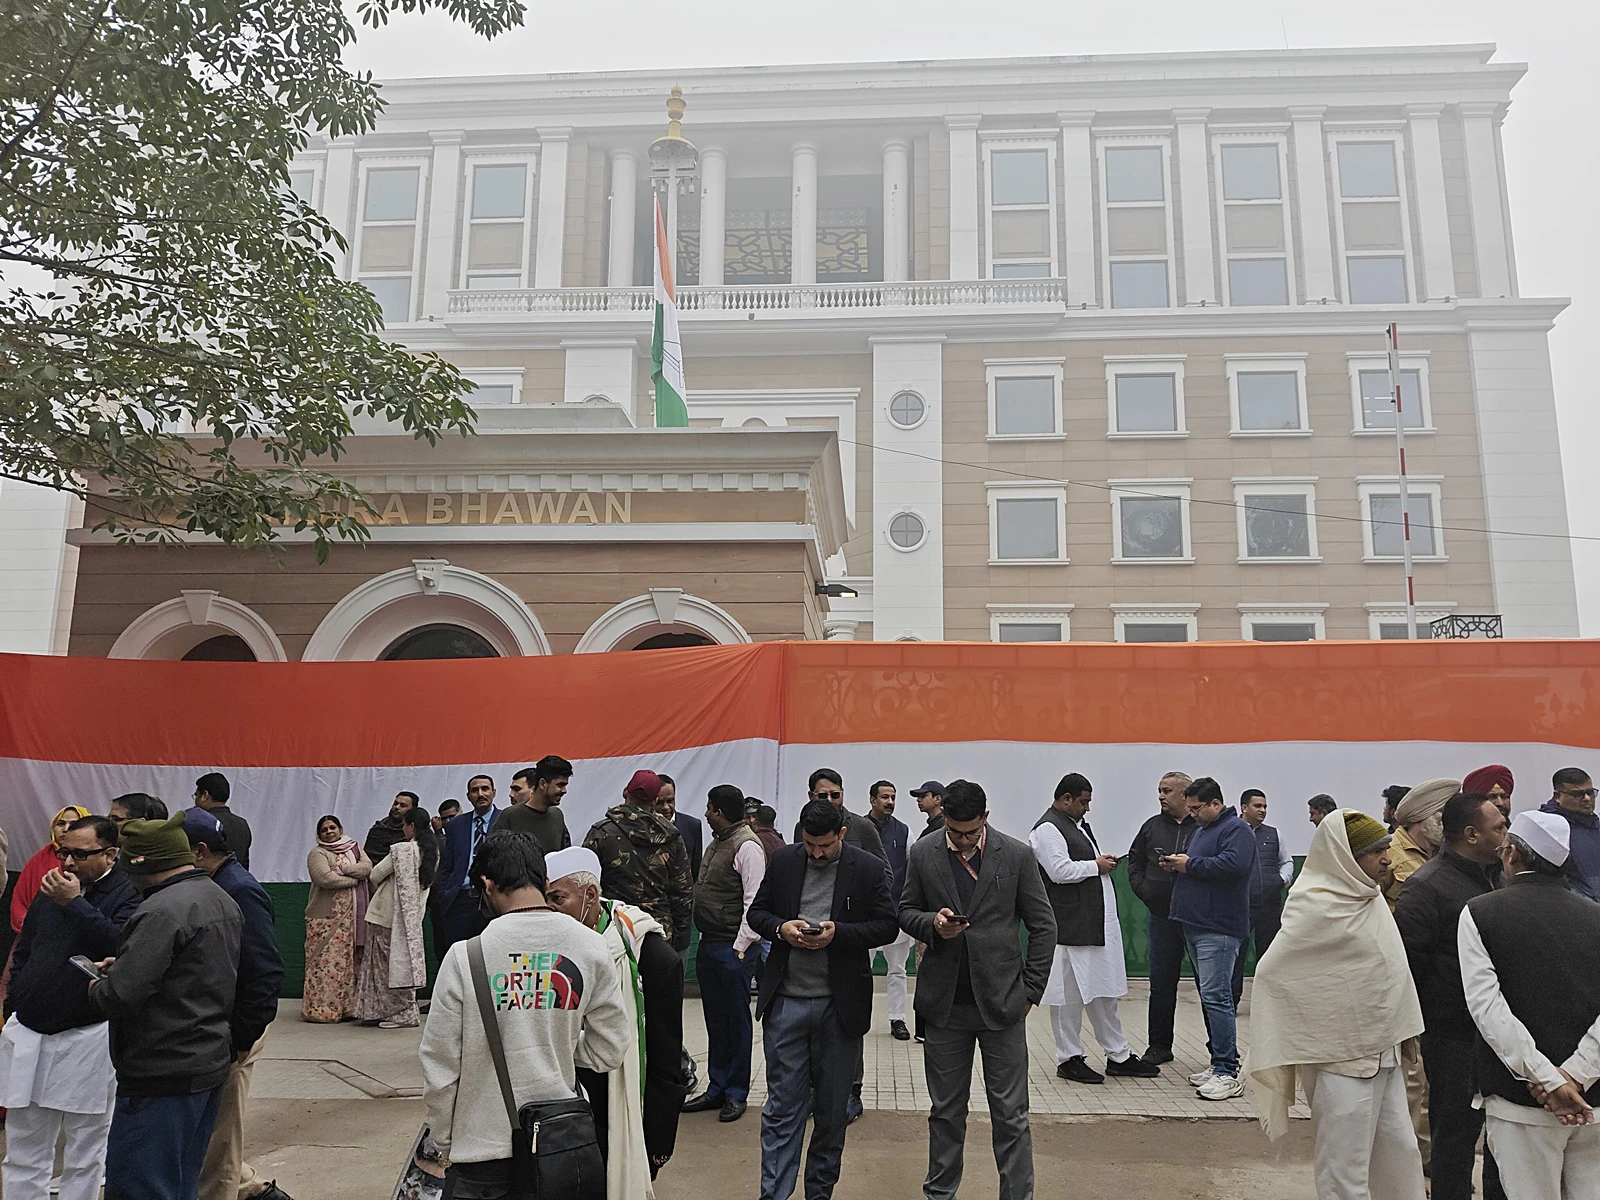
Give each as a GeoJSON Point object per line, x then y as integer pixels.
{"type": "Point", "coordinates": [638, 1105]}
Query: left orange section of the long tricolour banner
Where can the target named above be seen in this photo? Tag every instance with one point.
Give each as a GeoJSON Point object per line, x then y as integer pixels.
{"type": "Point", "coordinates": [386, 714]}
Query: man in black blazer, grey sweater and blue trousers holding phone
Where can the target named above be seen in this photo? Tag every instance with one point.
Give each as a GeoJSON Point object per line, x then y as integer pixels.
{"type": "Point", "coordinates": [817, 994]}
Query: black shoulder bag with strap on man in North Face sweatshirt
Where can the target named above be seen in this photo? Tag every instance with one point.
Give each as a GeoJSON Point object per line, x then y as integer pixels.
{"type": "Point", "coordinates": [554, 1148]}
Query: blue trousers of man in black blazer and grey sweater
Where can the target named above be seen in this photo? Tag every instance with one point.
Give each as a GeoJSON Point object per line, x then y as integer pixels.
{"type": "Point", "coordinates": [810, 1063]}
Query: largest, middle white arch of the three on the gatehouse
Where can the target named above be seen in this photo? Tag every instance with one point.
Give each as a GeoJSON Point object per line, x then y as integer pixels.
{"type": "Point", "coordinates": [428, 593]}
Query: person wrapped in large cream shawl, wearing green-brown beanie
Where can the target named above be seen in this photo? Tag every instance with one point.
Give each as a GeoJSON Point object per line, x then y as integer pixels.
{"type": "Point", "coordinates": [1335, 1009]}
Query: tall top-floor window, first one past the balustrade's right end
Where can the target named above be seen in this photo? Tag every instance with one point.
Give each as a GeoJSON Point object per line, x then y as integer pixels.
{"type": "Point", "coordinates": [1138, 222]}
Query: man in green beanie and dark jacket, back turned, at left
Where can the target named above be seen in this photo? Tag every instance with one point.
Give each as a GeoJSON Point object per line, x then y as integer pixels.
{"type": "Point", "coordinates": [169, 996]}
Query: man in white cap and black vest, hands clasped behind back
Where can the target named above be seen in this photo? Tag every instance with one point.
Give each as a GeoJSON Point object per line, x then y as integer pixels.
{"type": "Point", "coordinates": [1530, 966]}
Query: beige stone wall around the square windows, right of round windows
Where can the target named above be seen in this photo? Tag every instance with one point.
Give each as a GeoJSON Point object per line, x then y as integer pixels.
{"type": "Point", "coordinates": [1217, 582]}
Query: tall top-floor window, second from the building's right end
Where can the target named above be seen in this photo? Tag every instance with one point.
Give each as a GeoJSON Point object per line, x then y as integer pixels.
{"type": "Point", "coordinates": [1255, 222]}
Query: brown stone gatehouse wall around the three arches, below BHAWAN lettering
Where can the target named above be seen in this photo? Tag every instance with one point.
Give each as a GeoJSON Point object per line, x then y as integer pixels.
{"type": "Point", "coordinates": [766, 588]}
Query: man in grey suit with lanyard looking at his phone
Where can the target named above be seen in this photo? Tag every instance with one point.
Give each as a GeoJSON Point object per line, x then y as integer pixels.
{"type": "Point", "coordinates": [966, 895]}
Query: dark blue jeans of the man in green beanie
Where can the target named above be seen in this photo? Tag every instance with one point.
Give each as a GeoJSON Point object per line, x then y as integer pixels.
{"type": "Point", "coordinates": [158, 1145]}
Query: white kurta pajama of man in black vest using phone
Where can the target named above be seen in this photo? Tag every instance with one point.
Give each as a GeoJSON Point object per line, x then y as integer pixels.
{"type": "Point", "coordinates": [1084, 978]}
